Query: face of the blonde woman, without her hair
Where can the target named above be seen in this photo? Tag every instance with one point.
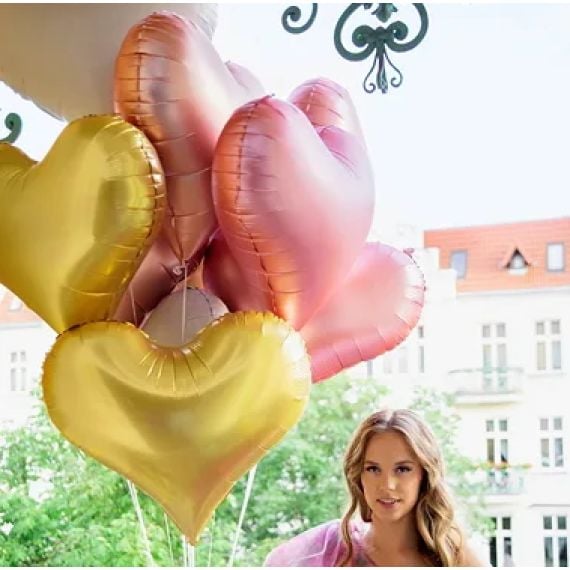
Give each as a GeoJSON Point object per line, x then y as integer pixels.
{"type": "Point", "coordinates": [391, 477]}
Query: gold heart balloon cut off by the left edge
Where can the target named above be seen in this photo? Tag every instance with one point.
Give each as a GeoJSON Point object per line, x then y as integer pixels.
{"type": "Point", "coordinates": [75, 227]}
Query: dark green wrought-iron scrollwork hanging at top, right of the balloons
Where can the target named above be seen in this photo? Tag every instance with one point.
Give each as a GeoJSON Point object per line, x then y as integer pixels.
{"type": "Point", "coordinates": [368, 40]}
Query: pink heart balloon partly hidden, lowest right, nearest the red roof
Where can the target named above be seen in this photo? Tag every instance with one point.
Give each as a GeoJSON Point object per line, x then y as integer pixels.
{"type": "Point", "coordinates": [376, 308]}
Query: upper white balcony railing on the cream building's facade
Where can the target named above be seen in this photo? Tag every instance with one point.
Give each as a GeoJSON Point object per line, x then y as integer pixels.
{"type": "Point", "coordinates": [486, 381]}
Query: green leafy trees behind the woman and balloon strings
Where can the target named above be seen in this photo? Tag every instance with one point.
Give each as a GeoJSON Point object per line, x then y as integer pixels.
{"type": "Point", "coordinates": [85, 517]}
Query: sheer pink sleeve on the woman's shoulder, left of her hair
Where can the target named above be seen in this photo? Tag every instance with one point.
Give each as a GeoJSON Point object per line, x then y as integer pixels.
{"type": "Point", "coordinates": [319, 546]}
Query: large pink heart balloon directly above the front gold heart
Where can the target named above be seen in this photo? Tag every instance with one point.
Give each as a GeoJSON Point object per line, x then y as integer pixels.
{"type": "Point", "coordinates": [294, 203]}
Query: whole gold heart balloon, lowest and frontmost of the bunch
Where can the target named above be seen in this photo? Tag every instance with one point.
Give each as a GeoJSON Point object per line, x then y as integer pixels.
{"type": "Point", "coordinates": [185, 423]}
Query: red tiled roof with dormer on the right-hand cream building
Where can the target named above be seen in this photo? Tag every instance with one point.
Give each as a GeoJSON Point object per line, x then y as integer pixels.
{"type": "Point", "coordinates": [489, 249]}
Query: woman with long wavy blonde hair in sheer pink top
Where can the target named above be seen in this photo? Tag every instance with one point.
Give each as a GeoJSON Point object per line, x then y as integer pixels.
{"type": "Point", "coordinates": [394, 473]}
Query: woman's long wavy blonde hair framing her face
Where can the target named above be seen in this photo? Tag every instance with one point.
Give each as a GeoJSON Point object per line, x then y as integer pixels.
{"type": "Point", "coordinates": [442, 540]}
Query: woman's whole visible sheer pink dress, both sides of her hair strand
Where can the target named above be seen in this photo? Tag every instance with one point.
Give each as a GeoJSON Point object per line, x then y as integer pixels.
{"type": "Point", "coordinates": [320, 546]}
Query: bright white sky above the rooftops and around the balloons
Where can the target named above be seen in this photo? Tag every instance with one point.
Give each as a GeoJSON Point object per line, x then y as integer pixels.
{"type": "Point", "coordinates": [478, 133]}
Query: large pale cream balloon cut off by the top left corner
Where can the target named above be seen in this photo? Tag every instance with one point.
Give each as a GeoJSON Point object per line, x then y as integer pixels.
{"type": "Point", "coordinates": [61, 56]}
